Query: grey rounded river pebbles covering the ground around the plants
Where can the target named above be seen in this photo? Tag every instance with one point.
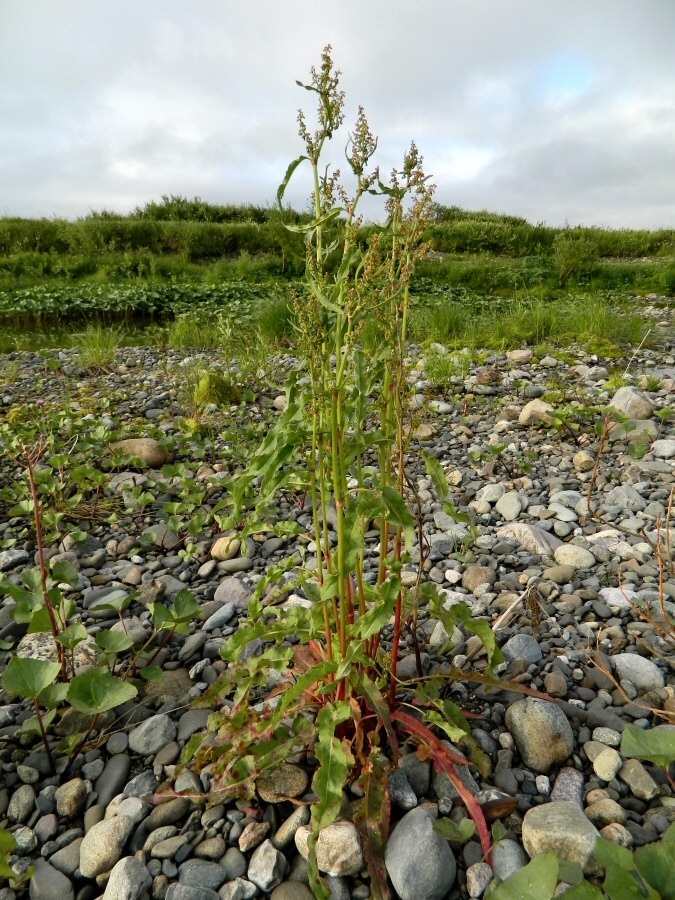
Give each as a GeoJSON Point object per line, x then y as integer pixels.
{"type": "Point", "coordinates": [556, 775]}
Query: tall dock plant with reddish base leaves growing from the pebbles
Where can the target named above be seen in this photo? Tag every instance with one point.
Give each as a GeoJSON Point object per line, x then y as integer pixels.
{"type": "Point", "coordinates": [343, 439]}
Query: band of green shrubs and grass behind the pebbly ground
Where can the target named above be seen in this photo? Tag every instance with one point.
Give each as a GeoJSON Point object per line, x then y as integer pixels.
{"type": "Point", "coordinates": [178, 255]}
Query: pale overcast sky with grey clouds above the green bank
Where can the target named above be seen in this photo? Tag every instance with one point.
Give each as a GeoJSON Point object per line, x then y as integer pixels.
{"type": "Point", "coordinates": [556, 110]}
